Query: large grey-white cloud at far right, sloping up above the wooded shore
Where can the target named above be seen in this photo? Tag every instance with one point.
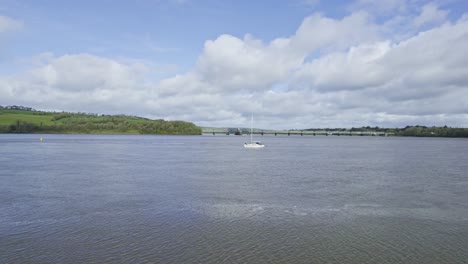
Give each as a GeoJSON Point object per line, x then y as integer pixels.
{"type": "Point", "coordinates": [424, 76]}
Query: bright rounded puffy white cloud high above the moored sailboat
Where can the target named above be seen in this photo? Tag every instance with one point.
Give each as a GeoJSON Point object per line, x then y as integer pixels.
{"type": "Point", "coordinates": [229, 63]}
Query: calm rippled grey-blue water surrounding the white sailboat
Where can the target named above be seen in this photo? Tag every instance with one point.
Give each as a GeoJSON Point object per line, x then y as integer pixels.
{"type": "Point", "coordinates": [206, 199]}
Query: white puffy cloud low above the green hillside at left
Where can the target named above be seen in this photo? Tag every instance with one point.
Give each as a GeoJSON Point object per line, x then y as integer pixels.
{"type": "Point", "coordinates": [76, 82]}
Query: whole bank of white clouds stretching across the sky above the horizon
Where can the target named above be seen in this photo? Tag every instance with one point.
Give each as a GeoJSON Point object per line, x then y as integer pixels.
{"type": "Point", "coordinates": [345, 72]}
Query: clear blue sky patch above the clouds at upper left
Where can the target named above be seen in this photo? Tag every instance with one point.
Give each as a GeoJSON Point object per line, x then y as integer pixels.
{"type": "Point", "coordinates": [171, 32]}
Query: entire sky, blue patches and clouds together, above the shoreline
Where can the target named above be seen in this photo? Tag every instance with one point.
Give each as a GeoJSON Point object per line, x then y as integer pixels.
{"type": "Point", "coordinates": [292, 64]}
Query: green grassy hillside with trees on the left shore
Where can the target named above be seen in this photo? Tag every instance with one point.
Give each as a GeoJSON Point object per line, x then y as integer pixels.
{"type": "Point", "coordinates": [26, 120]}
